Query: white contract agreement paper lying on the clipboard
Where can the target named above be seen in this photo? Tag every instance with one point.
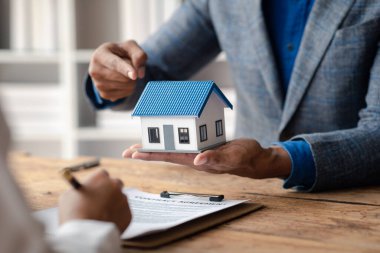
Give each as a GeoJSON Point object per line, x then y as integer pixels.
{"type": "Point", "coordinates": [152, 213]}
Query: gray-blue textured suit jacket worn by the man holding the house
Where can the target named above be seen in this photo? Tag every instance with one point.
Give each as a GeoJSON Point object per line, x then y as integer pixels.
{"type": "Point", "coordinates": [333, 99]}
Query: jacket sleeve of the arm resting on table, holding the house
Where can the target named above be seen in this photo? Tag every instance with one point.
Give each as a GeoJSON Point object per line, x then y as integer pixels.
{"type": "Point", "coordinates": [351, 157]}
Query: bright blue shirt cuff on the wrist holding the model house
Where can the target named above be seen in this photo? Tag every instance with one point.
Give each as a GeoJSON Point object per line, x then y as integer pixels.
{"type": "Point", "coordinates": [303, 172]}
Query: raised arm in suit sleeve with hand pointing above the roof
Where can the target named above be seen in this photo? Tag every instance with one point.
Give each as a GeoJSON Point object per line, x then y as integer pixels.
{"type": "Point", "coordinates": [181, 47]}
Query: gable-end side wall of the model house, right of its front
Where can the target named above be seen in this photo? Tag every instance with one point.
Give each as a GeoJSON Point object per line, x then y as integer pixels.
{"type": "Point", "coordinates": [213, 111]}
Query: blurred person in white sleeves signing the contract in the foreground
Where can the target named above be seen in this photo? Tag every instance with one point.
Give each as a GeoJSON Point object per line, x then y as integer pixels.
{"type": "Point", "coordinates": [91, 218]}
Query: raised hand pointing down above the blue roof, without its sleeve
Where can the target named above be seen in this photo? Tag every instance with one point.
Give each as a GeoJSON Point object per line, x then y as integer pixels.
{"type": "Point", "coordinates": [114, 69]}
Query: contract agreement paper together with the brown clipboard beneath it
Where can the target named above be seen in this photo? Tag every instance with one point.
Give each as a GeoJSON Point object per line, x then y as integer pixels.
{"type": "Point", "coordinates": [153, 215]}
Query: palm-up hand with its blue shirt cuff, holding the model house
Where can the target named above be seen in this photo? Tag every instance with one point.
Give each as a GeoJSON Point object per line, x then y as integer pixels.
{"type": "Point", "coordinates": [290, 160]}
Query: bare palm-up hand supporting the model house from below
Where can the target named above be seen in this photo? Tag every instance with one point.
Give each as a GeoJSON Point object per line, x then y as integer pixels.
{"type": "Point", "coordinates": [242, 157]}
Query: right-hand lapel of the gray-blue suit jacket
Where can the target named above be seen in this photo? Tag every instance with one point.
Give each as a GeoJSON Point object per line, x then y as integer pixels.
{"type": "Point", "coordinates": [324, 19]}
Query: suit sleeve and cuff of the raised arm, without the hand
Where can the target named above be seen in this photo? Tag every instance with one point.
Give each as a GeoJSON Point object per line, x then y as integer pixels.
{"type": "Point", "coordinates": [180, 48]}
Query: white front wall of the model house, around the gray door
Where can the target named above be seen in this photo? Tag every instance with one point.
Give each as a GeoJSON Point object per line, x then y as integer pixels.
{"type": "Point", "coordinates": [188, 122]}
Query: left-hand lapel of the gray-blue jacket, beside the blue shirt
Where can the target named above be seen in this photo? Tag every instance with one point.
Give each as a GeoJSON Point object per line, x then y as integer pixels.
{"type": "Point", "coordinates": [262, 47]}
